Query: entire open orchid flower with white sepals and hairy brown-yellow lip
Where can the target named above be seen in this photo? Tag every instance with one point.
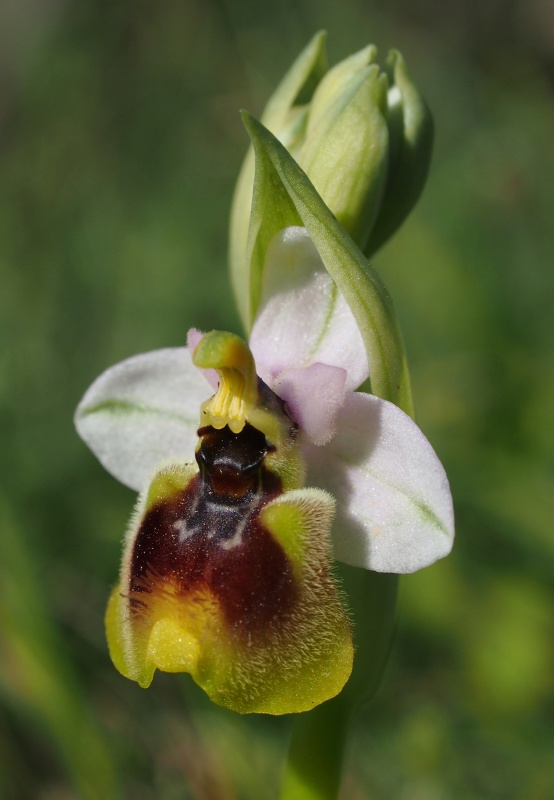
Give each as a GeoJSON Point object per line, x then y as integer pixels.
{"type": "Point", "coordinates": [227, 572]}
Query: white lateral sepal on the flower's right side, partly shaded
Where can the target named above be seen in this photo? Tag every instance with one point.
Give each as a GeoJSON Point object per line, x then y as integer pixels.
{"type": "Point", "coordinates": [394, 507]}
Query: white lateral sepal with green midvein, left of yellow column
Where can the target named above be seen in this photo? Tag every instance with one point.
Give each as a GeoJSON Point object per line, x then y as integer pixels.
{"type": "Point", "coordinates": [142, 413]}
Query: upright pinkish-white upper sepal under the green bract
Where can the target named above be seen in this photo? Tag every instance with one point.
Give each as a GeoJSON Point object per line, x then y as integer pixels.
{"type": "Point", "coordinates": [303, 319]}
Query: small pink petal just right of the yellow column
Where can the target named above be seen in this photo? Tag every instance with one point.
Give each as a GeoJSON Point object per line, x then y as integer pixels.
{"type": "Point", "coordinates": [314, 396]}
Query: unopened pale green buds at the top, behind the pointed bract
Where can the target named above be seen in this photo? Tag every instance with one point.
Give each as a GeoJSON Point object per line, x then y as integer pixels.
{"type": "Point", "coordinates": [363, 137]}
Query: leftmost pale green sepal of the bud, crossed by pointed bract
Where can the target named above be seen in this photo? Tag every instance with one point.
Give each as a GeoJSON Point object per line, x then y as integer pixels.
{"type": "Point", "coordinates": [286, 109]}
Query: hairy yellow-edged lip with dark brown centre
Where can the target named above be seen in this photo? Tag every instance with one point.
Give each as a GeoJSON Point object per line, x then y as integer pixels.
{"type": "Point", "coordinates": [227, 571]}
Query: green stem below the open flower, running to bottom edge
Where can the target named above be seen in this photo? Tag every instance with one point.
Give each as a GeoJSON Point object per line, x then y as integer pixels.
{"type": "Point", "coordinates": [319, 739]}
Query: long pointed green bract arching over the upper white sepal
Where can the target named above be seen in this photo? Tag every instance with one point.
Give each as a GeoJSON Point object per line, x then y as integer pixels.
{"type": "Point", "coordinates": [283, 196]}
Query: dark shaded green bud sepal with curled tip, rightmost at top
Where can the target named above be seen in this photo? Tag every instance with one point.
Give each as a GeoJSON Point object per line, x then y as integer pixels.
{"type": "Point", "coordinates": [411, 142]}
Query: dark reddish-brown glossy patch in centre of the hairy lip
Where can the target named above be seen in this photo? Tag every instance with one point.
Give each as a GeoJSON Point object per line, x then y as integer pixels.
{"type": "Point", "coordinates": [210, 537]}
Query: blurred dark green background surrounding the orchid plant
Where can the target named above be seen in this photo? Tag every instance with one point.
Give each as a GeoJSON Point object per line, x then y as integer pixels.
{"type": "Point", "coordinates": [119, 145]}
